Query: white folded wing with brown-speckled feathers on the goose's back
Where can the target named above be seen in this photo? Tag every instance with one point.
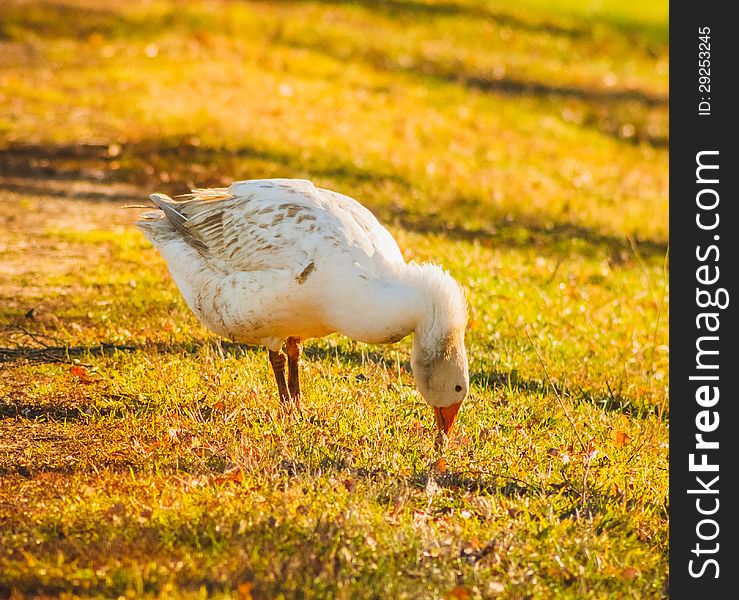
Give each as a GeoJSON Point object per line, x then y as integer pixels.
{"type": "Point", "coordinates": [274, 224]}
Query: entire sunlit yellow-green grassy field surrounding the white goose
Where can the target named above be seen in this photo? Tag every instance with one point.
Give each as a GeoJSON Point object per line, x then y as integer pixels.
{"type": "Point", "coordinates": [522, 146]}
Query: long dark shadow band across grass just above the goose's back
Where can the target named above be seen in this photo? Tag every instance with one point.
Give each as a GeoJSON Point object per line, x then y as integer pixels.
{"type": "Point", "coordinates": [56, 170]}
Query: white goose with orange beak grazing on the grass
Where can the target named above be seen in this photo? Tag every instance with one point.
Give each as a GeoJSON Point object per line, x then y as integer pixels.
{"type": "Point", "coordinates": [278, 261]}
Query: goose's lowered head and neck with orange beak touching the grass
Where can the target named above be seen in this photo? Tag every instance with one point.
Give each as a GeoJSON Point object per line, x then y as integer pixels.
{"type": "Point", "coordinates": [439, 356]}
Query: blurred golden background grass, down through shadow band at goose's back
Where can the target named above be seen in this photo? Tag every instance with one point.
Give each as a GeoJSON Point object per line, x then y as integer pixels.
{"type": "Point", "coordinates": [480, 115]}
